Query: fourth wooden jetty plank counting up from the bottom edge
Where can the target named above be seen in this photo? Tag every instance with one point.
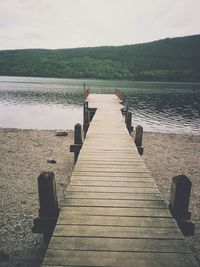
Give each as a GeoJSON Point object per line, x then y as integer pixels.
{"type": "Point", "coordinates": [149, 222]}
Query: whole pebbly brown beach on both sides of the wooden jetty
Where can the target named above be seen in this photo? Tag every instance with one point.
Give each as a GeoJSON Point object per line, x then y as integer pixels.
{"type": "Point", "coordinates": [24, 154]}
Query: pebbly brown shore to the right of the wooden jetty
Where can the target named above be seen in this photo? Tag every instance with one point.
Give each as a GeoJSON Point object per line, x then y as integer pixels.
{"type": "Point", "coordinates": [168, 155]}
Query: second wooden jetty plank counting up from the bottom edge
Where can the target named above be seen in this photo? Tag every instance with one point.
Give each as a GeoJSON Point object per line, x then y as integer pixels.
{"type": "Point", "coordinates": [118, 244]}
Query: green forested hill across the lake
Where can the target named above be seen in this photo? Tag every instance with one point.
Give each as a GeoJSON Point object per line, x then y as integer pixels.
{"type": "Point", "coordinates": [176, 59]}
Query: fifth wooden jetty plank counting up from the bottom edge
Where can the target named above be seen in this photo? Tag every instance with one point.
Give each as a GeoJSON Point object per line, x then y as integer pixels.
{"type": "Point", "coordinates": [110, 211]}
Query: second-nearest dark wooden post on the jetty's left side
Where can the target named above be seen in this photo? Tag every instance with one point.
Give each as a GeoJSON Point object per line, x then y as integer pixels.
{"type": "Point", "coordinates": [77, 141]}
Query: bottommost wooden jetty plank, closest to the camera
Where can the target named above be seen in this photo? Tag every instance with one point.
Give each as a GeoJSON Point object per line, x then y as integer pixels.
{"type": "Point", "coordinates": [118, 259]}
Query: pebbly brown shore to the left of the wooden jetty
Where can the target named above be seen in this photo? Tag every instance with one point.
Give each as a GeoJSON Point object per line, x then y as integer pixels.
{"type": "Point", "coordinates": [23, 156]}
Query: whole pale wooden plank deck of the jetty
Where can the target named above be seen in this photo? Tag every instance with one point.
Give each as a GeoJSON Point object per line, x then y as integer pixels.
{"type": "Point", "coordinates": [113, 212]}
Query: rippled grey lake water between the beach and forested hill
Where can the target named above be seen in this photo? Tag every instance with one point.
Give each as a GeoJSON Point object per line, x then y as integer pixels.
{"type": "Point", "coordinates": [47, 103]}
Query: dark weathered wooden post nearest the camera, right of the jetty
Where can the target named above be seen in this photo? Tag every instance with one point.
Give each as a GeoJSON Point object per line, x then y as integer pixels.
{"type": "Point", "coordinates": [179, 203]}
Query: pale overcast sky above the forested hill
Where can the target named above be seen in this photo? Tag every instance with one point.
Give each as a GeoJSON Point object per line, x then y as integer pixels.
{"type": "Point", "coordinates": [80, 23]}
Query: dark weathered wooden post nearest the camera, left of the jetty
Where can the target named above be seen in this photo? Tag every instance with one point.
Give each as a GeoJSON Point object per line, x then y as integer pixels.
{"type": "Point", "coordinates": [48, 211]}
